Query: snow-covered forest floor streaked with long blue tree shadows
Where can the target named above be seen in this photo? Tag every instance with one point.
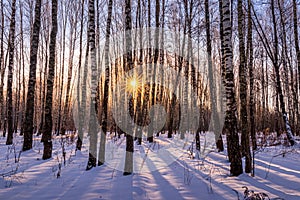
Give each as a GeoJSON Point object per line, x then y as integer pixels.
{"type": "Point", "coordinates": [26, 176]}
